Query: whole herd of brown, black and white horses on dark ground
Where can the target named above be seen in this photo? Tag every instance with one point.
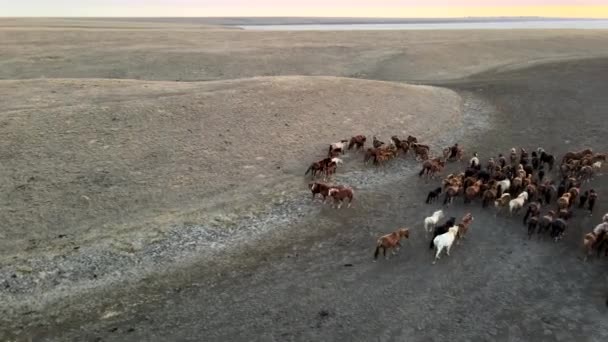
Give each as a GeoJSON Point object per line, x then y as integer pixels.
{"type": "Point", "coordinates": [508, 183]}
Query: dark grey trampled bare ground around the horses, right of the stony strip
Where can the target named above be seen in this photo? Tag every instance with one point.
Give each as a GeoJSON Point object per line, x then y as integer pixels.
{"type": "Point", "coordinates": [300, 285]}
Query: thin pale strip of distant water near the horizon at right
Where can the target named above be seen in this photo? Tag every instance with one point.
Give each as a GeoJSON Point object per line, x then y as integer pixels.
{"type": "Point", "coordinates": [494, 25]}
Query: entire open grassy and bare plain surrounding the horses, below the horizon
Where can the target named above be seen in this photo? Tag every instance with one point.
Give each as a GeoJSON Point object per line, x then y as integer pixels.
{"type": "Point", "coordinates": [141, 208]}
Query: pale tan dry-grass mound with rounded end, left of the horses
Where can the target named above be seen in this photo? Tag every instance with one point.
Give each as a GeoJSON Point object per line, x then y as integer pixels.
{"type": "Point", "coordinates": [96, 158]}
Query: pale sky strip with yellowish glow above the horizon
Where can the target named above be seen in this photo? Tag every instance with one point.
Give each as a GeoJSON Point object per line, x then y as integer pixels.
{"type": "Point", "coordinates": [304, 8]}
